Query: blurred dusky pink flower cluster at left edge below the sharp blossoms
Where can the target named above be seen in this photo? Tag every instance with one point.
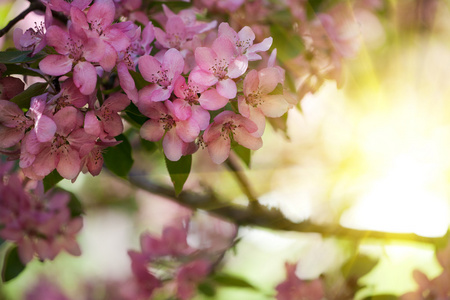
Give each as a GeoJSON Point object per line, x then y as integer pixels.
{"type": "Point", "coordinates": [40, 224]}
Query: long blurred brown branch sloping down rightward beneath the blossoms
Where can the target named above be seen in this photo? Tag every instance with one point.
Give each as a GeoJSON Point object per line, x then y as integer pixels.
{"type": "Point", "coordinates": [262, 216]}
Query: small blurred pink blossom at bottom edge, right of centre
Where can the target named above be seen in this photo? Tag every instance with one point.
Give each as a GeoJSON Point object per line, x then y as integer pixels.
{"type": "Point", "coordinates": [294, 288]}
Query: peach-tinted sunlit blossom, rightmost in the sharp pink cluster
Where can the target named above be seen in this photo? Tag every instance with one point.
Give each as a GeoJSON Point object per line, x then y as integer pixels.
{"type": "Point", "coordinates": [257, 103]}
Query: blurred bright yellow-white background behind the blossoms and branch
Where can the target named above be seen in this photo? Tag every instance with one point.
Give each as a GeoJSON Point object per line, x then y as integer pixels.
{"type": "Point", "coordinates": [373, 155]}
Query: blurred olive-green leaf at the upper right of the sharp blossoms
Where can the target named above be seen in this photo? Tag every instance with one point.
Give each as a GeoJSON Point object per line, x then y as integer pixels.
{"type": "Point", "coordinates": [289, 44]}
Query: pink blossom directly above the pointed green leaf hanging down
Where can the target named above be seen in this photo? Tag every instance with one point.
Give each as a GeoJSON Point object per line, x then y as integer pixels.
{"type": "Point", "coordinates": [167, 120]}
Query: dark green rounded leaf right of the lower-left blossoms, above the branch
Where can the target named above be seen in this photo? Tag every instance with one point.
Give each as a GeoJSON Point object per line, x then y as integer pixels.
{"type": "Point", "coordinates": [118, 159]}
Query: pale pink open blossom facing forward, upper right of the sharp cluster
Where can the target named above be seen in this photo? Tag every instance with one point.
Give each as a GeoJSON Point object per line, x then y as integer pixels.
{"type": "Point", "coordinates": [219, 65]}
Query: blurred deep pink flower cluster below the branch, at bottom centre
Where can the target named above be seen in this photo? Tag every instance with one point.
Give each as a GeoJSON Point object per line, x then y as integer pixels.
{"type": "Point", "coordinates": [179, 260]}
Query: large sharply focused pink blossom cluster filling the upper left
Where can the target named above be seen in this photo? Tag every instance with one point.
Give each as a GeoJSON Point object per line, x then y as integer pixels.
{"type": "Point", "coordinates": [190, 69]}
